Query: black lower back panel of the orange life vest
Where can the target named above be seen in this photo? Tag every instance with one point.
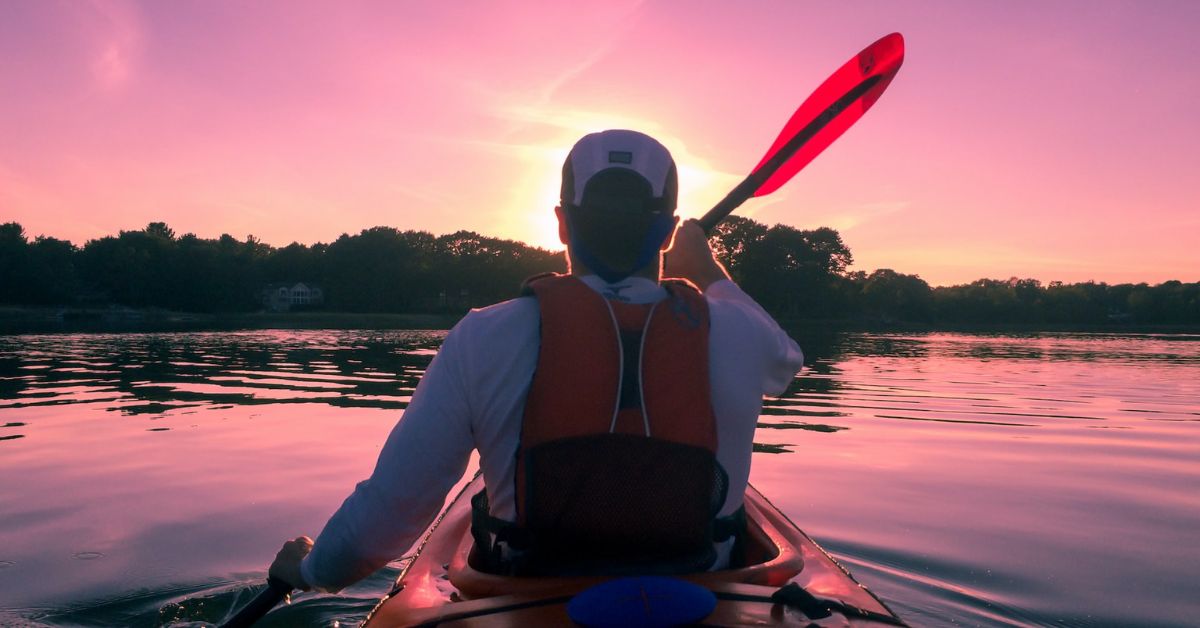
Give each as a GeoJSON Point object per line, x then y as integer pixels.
{"type": "Point", "coordinates": [622, 504]}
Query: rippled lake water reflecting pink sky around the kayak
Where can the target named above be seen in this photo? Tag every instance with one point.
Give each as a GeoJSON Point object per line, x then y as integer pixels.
{"type": "Point", "coordinates": [148, 480]}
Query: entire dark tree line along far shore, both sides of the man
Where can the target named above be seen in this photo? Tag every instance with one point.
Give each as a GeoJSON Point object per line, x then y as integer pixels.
{"type": "Point", "coordinates": [794, 273]}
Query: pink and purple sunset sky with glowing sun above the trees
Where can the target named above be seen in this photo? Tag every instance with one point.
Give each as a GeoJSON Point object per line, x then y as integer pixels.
{"type": "Point", "coordinates": [1058, 141]}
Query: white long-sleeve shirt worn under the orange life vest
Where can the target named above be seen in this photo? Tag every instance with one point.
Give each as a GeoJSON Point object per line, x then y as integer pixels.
{"type": "Point", "coordinates": [472, 397]}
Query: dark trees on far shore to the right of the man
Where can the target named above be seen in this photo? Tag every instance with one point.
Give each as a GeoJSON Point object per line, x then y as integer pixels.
{"type": "Point", "coordinates": [805, 274]}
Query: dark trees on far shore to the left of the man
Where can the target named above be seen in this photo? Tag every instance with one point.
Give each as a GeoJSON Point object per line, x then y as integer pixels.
{"type": "Point", "coordinates": [381, 270]}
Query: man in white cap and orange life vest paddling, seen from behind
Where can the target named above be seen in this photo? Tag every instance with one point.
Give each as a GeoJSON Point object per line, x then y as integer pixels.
{"type": "Point", "coordinates": [614, 412]}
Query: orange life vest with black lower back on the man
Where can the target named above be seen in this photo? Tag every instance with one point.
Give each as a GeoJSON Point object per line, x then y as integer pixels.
{"type": "Point", "coordinates": [616, 469]}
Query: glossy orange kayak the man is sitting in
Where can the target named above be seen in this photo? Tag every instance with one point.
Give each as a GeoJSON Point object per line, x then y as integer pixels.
{"type": "Point", "coordinates": [788, 581]}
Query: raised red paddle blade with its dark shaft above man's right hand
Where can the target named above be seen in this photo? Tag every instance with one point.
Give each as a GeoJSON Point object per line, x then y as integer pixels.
{"type": "Point", "coordinates": [837, 105]}
